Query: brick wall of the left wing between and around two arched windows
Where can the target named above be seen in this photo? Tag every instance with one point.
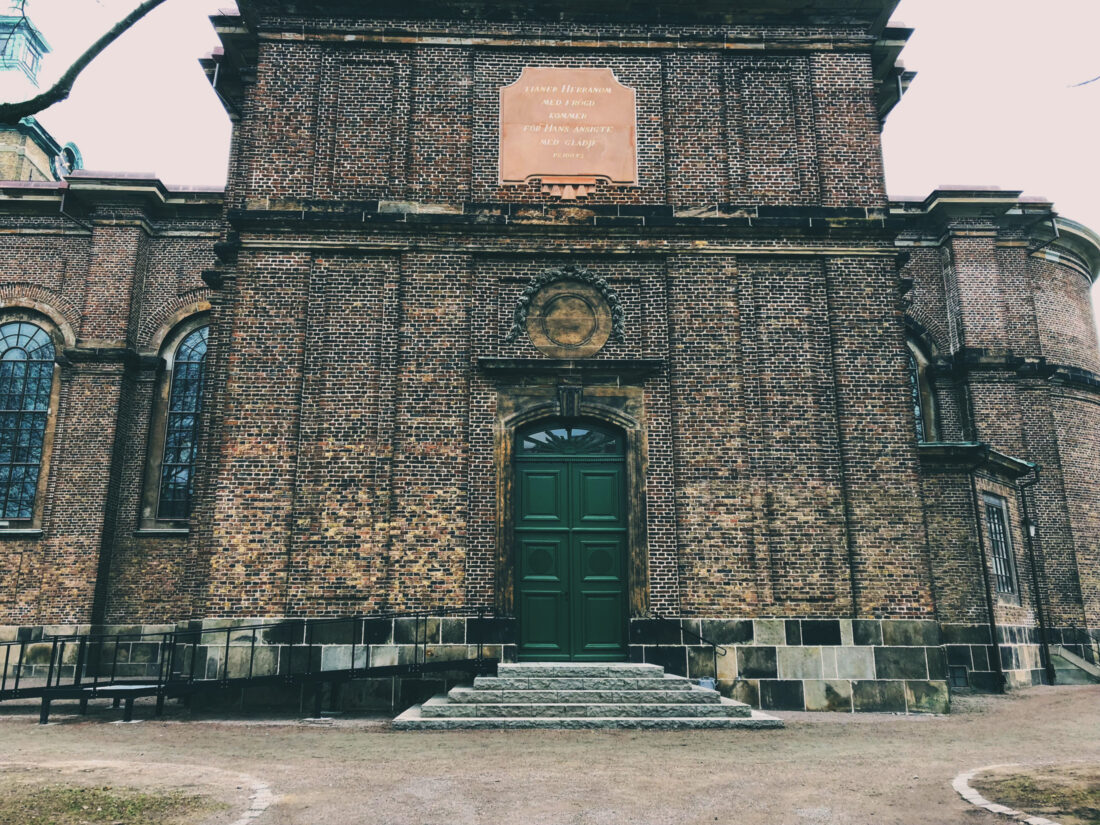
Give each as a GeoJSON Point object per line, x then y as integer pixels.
{"type": "Point", "coordinates": [105, 288]}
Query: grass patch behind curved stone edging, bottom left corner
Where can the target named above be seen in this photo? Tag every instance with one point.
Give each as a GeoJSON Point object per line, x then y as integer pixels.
{"type": "Point", "coordinates": [106, 806]}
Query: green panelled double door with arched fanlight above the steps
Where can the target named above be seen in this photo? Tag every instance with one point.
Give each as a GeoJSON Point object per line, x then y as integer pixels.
{"type": "Point", "coordinates": [571, 543]}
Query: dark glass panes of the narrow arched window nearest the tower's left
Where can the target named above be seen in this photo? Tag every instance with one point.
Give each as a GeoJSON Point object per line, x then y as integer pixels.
{"type": "Point", "coordinates": [182, 428]}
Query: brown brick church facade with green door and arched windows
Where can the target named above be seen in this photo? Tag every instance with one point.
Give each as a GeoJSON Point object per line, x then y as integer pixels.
{"type": "Point", "coordinates": [855, 442]}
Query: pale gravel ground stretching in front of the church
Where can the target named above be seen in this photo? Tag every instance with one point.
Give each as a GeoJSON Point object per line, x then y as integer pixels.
{"type": "Point", "coordinates": [824, 769]}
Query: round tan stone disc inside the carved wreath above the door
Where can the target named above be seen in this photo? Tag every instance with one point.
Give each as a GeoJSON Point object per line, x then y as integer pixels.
{"type": "Point", "coordinates": [569, 320]}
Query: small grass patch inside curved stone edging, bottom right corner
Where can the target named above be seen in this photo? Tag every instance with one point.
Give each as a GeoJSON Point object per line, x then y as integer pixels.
{"type": "Point", "coordinates": [1068, 795]}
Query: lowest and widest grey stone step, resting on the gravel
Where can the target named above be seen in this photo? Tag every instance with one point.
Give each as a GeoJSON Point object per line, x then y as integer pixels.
{"type": "Point", "coordinates": [413, 720]}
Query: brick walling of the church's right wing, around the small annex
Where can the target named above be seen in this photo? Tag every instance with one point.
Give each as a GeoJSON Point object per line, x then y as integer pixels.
{"type": "Point", "coordinates": [993, 311]}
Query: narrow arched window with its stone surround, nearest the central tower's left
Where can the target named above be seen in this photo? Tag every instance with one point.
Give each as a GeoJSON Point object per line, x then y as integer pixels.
{"type": "Point", "coordinates": [174, 432]}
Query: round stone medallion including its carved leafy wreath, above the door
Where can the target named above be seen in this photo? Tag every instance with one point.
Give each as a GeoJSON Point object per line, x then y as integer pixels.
{"type": "Point", "coordinates": [568, 314]}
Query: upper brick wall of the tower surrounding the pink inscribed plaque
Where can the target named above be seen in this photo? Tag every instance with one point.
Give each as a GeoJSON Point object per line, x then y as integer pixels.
{"type": "Point", "coordinates": [360, 119]}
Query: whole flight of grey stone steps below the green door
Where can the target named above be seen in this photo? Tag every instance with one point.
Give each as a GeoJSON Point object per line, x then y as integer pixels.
{"type": "Point", "coordinates": [574, 696]}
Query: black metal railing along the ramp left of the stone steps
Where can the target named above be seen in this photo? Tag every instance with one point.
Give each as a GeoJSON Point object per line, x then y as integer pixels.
{"type": "Point", "coordinates": [181, 663]}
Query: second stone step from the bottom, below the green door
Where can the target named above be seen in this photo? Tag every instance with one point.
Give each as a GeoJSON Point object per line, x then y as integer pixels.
{"type": "Point", "coordinates": [443, 708]}
